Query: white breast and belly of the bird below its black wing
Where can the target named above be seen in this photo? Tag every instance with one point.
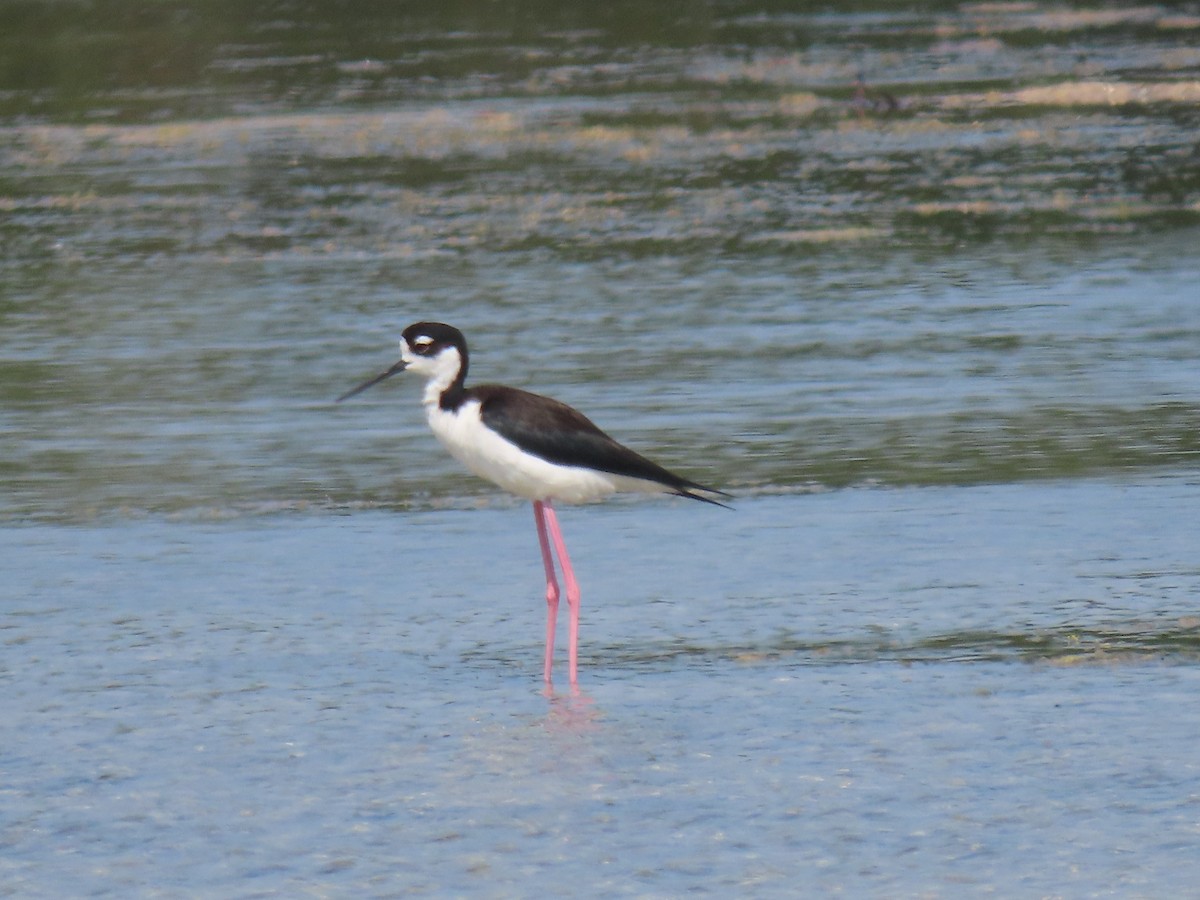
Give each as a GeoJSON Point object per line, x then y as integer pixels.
{"type": "Point", "coordinates": [505, 464]}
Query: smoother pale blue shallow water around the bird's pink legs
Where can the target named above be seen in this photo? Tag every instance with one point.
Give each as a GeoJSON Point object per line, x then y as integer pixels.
{"type": "Point", "coordinates": [892, 693]}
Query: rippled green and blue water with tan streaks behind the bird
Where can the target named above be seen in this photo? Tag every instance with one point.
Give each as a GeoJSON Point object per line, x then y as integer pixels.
{"type": "Point", "coordinates": [974, 265]}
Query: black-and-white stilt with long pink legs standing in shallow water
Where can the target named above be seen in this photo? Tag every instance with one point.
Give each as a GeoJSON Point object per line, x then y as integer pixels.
{"type": "Point", "coordinates": [531, 446]}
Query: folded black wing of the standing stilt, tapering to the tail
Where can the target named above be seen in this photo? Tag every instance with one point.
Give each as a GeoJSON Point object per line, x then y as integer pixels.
{"type": "Point", "coordinates": [562, 435]}
